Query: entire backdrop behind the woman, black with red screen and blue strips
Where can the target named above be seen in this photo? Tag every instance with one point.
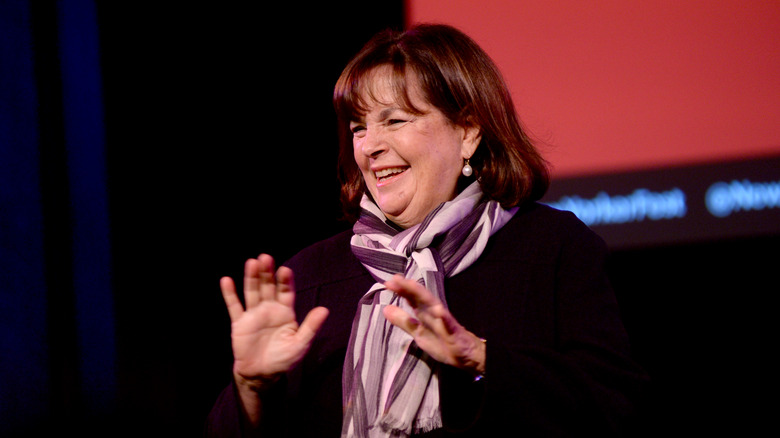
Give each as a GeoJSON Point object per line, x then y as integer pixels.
{"type": "Point", "coordinates": [149, 148]}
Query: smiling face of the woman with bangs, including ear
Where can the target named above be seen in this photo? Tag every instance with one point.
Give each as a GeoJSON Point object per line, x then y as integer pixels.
{"type": "Point", "coordinates": [410, 162]}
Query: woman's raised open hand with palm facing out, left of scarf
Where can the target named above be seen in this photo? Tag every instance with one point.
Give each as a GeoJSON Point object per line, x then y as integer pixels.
{"type": "Point", "coordinates": [267, 340]}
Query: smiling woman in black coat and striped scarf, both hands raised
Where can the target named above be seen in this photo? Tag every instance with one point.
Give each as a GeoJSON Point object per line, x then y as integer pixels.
{"type": "Point", "coordinates": [457, 304]}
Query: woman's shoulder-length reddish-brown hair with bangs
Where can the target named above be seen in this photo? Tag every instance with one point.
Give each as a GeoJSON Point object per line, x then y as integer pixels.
{"type": "Point", "coordinates": [458, 78]}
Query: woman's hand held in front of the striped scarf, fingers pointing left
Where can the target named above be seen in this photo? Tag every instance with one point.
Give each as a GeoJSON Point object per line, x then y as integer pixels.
{"type": "Point", "coordinates": [433, 327]}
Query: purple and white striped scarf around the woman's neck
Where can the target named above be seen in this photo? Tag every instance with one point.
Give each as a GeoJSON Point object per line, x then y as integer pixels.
{"type": "Point", "coordinates": [390, 385]}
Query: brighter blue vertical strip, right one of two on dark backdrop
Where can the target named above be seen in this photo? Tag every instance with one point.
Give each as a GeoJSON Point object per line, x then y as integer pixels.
{"type": "Point", "coordinates": [85, 148]}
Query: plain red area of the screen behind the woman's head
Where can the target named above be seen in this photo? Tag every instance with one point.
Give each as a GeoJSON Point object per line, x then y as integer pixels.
{"type": "Point", "coordinates": [610, 86]}
